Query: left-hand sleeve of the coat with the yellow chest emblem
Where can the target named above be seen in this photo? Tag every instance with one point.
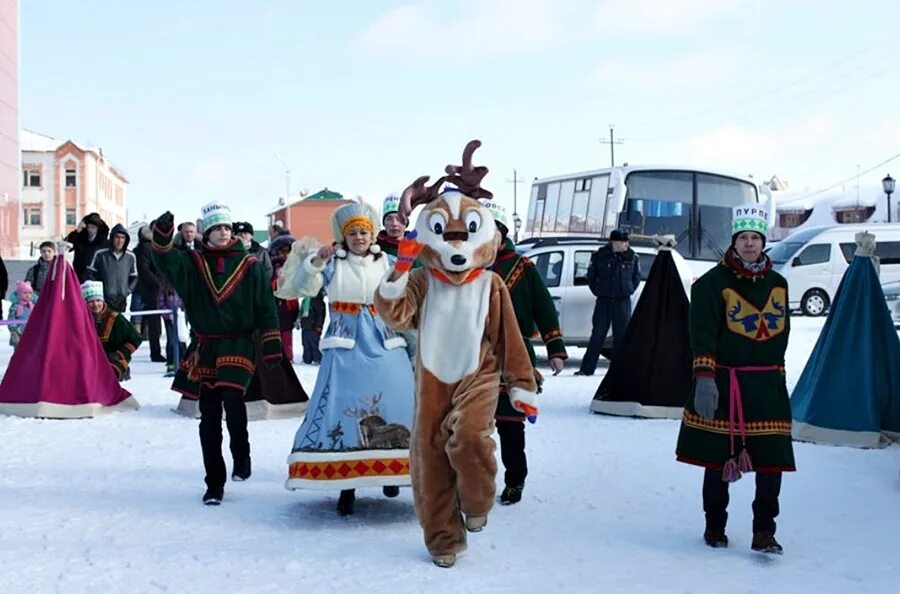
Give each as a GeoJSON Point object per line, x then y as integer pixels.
{"type": "Point", "coordinates": [706, 319]}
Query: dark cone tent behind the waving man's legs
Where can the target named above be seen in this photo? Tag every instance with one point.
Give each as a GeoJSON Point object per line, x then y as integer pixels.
{"type": "Point", "coordinates": [274, 393]}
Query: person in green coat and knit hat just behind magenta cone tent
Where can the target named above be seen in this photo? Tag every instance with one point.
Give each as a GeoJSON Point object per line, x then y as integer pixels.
{"type": "Point", "coordinates": [117, 335]}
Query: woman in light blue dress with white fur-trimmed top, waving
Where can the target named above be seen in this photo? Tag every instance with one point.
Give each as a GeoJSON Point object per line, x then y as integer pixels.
{"type": "Point", "coordinates": [357, 427]}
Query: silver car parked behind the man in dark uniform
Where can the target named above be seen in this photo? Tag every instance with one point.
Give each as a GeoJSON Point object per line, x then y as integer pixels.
{"type": "Point", "coordinates": [563, 262]}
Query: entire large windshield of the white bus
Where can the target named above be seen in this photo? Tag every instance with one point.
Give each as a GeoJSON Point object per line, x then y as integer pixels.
{"type": "Point", "coordinates": [694, 207]}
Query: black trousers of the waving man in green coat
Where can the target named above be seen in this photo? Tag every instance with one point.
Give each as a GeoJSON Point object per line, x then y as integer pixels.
{"type": "Point", "coordinates": [211, 404]}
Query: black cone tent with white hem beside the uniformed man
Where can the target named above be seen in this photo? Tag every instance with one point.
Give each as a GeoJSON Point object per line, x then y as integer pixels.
{"type": "Point", "coordinates": [651, 374]}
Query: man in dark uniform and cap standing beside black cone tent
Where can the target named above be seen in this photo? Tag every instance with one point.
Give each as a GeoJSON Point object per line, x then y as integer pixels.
{"type": "Point", "coordinates": [613, 276]}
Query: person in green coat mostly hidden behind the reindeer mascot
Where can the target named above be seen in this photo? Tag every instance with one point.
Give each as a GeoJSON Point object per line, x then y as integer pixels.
{"type": "Point", "coordinates": [534, 311]}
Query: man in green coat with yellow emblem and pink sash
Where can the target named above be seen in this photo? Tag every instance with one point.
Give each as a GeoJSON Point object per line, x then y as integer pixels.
{"type": "Point", "coordinates": [738, 418]}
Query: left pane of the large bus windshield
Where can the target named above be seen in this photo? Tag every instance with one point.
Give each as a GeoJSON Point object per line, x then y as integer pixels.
{"type": "Point", "coordinates": [659, 202]}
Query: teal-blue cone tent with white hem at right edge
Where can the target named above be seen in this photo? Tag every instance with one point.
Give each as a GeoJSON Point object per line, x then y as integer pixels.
{"type": "Point", "coordinates": [849, 392]}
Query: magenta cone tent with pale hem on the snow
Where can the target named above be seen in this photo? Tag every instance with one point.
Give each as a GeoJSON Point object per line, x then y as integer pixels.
{"type": "Point", "coordinates": [59, 370]}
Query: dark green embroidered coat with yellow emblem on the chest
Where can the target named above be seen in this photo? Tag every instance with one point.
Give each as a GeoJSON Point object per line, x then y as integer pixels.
{"type": "Point", "coordinates": [740, 320]}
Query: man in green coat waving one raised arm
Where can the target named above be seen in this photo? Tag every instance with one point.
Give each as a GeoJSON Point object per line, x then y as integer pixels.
{"type": "Point", "coordinates": [227, 298]}
